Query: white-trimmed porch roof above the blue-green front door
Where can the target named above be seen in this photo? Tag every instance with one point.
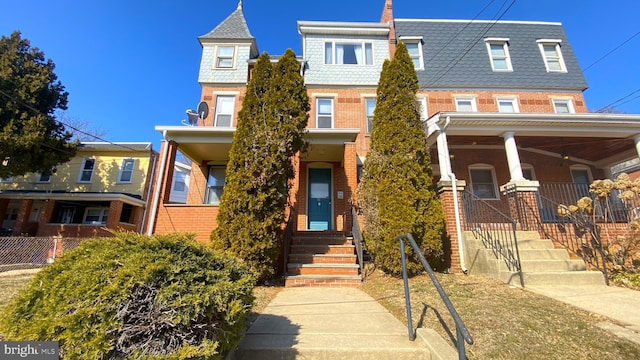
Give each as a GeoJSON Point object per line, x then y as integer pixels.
{"type": "Point", "coordinates": [208, 143]}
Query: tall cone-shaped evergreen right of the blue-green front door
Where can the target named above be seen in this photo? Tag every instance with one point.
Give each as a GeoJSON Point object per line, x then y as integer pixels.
{"type": "Point", "coordinates": [396, 193]}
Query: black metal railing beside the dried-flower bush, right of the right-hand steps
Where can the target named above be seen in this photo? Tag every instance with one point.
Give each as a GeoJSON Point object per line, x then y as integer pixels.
{"type": "Point", "coordinates": [576, 232]}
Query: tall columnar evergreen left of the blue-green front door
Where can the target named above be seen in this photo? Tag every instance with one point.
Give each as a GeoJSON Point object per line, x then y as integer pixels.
{"type": "Point", "coordinates": [269, 133]}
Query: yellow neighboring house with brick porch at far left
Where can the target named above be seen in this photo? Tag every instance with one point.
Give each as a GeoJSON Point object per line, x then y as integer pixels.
{"type": "Point", "coordinates": [105, 186]}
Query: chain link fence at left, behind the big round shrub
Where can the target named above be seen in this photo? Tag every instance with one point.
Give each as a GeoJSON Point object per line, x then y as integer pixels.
{"type": "Point", "coordinates": [21, 252]}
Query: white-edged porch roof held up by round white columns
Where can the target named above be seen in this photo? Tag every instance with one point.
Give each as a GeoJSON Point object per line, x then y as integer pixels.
{"type": "Point", "coordinates": [594, 138]}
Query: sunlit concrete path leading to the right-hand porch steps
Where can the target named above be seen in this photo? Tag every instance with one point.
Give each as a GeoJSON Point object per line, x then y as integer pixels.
{"type": "Point", "coordinates": [618, 304]}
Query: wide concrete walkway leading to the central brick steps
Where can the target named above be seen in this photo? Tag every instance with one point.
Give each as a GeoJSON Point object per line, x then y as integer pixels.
{"type": "Point", "coordinates": [334, 323]}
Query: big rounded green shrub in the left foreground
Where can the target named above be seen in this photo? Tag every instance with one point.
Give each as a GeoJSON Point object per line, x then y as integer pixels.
{"type": "Point", "coordinates": [135, 296]}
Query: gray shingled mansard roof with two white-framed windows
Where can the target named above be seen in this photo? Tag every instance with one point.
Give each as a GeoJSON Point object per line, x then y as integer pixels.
{"type": "Point", "coordinates": [445, 42]}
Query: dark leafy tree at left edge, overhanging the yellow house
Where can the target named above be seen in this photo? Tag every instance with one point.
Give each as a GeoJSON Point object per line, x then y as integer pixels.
{"type": "Point", "coordinates": [31, 140]}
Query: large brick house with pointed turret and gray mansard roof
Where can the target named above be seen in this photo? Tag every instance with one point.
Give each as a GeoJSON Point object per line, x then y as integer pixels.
{"type": "Point", "coordinates": [502, 104]}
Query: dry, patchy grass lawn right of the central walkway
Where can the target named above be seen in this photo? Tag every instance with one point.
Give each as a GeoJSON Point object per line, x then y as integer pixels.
{"type": "Point", "coordinates": [505, 322]}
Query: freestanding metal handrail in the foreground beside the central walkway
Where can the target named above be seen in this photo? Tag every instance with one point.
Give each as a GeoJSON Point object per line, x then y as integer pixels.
{"type": "Point", "coordinates": [462, 333]}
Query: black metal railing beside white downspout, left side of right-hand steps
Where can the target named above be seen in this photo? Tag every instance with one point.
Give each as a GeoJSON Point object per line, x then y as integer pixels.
{"type": "Point", "coordinates": [496, 230]}
